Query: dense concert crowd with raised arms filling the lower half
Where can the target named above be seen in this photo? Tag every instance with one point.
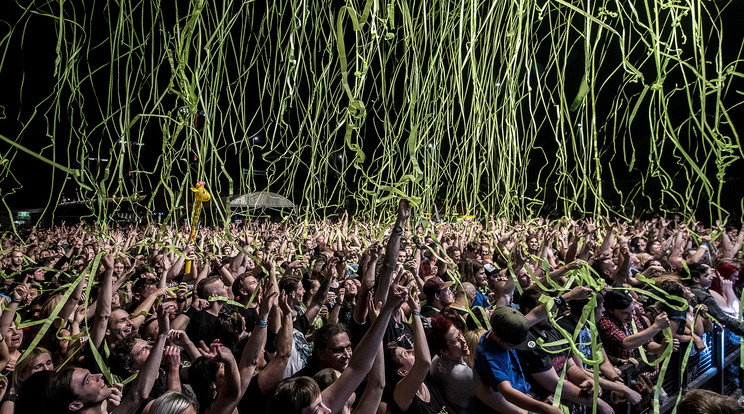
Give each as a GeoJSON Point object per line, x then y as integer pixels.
{"type": "Point", "coordinates": [362, 317]}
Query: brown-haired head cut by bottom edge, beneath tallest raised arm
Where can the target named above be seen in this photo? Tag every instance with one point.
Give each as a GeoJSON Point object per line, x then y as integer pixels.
{"type": "Point", "coordinates": [297, 395]}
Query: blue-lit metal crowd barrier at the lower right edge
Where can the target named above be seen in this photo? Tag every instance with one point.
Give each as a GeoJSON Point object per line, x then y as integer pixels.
{"type": "Point", "coordinates": [715, 368]}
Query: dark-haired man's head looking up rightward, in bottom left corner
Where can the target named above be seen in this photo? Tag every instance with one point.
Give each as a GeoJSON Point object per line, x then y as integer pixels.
{"type": "Point", "coordinates": [74, 389]}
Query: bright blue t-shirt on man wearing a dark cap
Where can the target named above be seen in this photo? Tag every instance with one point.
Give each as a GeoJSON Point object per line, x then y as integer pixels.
{"type": "Point", "coordinates": [495, 365]}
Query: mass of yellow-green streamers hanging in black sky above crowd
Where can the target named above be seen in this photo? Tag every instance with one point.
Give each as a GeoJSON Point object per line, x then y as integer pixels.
{"type": "Point", "coordinates": [514, 108]}
